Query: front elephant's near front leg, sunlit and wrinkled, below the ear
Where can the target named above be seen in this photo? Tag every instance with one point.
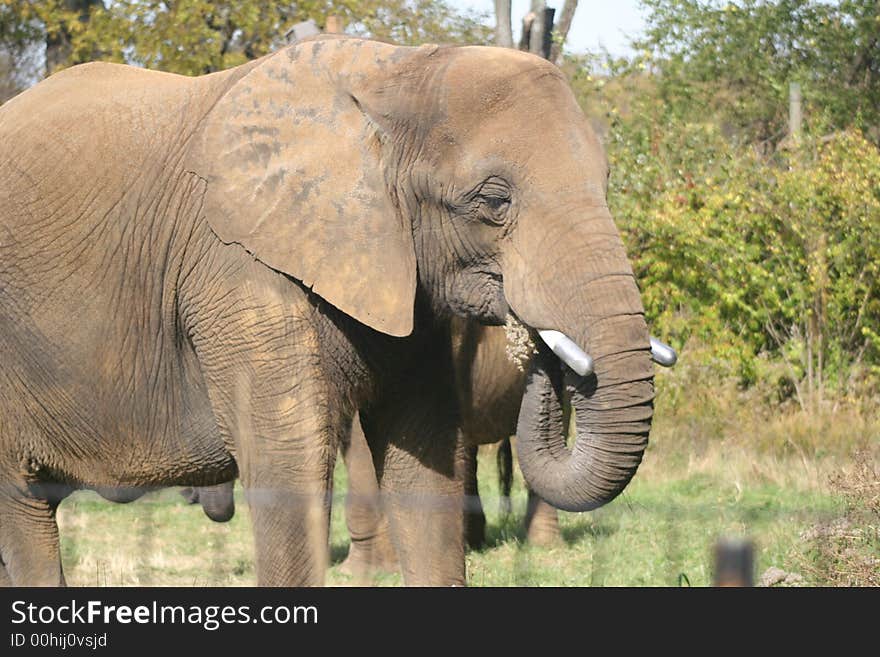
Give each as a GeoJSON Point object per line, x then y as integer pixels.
{"type": "Point", "coordinates": [260, 357]}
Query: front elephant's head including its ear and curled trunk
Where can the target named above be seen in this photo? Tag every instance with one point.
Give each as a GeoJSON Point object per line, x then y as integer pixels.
{"type": "Point", "coordinates": [470, 175]}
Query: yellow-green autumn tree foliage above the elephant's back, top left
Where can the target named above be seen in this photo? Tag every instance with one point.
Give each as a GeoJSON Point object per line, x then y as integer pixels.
{"type": "Point", "coordinates": [201, 36]}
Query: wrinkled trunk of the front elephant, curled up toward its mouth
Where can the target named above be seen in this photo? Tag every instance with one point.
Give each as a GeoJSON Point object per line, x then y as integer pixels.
{"type": "Point", "coordinates": [613, 406]}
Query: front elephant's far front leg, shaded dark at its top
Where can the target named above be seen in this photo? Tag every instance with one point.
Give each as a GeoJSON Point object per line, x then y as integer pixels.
{"type": "Point", "coordinates": [421, 479]}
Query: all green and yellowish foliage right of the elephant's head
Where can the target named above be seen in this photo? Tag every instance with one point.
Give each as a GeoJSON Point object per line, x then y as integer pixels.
{"type": "Point", "coordinates": [757, 249]}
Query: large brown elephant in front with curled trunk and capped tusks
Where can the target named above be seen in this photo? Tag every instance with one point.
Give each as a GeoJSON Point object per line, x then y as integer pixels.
{"type": "Point", "coordinates": [204, 277]}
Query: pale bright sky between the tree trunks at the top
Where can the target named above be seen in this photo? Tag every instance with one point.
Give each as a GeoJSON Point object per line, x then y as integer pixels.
{"type": "Point", "coordinates": [596, 23]}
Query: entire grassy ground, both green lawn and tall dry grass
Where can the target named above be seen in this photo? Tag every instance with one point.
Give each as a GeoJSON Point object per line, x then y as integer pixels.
{"type": "Point", "coordinates": [803, 488]}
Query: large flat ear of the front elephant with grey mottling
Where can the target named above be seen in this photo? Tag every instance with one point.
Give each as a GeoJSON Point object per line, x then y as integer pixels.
{"type": "Point", "coordinates": [292, 164]}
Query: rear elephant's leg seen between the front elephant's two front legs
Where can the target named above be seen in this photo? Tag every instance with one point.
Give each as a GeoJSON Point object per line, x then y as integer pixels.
{"type": "Point", "coordinates": [371, 548]}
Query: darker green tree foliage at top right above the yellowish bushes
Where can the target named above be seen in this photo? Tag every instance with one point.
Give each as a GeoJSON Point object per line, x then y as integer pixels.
{"type": "Point", "coordinates": [736, 59]}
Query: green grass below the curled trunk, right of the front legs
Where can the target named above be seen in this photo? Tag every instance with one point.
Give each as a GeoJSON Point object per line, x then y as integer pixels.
{"type": "Point", "coordinates": [659, 532]}
